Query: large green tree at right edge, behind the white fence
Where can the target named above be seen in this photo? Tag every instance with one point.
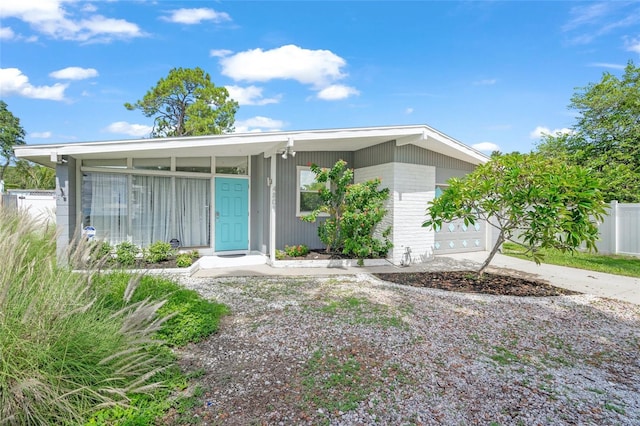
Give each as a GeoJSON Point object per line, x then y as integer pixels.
{"type": "Point", "coordinates": [606, 136]}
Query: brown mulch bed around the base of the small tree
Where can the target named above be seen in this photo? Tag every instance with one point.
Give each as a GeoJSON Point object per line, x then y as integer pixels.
{"type": "Point", "coordinates": [469, 282]}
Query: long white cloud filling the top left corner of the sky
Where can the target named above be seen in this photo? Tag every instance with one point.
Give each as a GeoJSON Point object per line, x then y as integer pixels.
{"type": "Point", "coordinates": [51, 18]}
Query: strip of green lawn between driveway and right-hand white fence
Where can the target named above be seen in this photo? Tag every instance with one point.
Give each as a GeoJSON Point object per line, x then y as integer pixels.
{"type": "Point", "coordinates": [612, 264]}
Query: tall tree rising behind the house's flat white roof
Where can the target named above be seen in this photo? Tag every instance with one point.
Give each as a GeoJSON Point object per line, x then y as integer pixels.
{"type": "Point", "coordinates": [187, 103]}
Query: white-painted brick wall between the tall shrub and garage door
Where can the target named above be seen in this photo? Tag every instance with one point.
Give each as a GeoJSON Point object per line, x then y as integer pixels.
{"type": "Point", "coordinates": [412, 187]}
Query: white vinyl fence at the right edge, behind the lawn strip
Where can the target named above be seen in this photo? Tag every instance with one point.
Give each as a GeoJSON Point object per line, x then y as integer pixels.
{"type": "Point", "coordinates": [620, 231]}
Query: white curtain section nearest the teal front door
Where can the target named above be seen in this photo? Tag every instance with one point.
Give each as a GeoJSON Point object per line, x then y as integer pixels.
{"type": "Point", "coordinates": [192, 211]}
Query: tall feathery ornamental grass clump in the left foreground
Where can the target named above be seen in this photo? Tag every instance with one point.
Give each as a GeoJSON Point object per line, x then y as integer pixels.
{"type": "Point", "coordinates": [63, 352]}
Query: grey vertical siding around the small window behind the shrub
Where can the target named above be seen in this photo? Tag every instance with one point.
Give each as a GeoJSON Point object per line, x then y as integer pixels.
{"type": "Point", "coordinates": [290, 230]}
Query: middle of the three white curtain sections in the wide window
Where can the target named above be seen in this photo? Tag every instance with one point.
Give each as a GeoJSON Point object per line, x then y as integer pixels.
{"type": "Point", "coordinates": [150, 210]}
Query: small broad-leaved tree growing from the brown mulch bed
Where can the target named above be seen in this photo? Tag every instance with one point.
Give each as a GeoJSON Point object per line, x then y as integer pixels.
{"type": "Point", "coordinates": [531, 200]}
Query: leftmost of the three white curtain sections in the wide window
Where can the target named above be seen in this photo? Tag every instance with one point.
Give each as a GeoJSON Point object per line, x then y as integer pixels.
{"type": "Point", "coordinates": [108, 203]}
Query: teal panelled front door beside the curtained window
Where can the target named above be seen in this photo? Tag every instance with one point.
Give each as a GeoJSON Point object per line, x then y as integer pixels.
{"type": "Point", "coordinates": [232, 214]}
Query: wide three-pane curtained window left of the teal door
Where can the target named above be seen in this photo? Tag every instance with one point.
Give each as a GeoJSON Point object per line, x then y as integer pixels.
{"type": "Point", "coordinates": [144, 209]}
